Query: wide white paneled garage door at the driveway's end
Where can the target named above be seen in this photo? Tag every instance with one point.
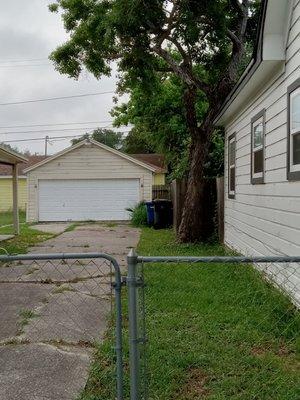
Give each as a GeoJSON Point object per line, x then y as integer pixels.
{"type": "Point", "coordinates": [92, 199]}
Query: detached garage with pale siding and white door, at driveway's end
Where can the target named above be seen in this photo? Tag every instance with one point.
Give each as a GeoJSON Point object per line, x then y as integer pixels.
{"type": "Point", "coordinates": [88, 181]}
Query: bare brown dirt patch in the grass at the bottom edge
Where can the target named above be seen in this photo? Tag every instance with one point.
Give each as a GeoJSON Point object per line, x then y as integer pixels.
{"type": "Point", "coordinates": [195, 386]}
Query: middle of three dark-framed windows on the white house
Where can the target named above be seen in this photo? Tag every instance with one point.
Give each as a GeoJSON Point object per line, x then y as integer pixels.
{"type": "Point", "coordinates": [258, 148]}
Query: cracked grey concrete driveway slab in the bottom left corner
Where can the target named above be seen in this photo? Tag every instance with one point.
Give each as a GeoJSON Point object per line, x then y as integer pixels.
{"type": "Point", "coordinates": [42, 372]}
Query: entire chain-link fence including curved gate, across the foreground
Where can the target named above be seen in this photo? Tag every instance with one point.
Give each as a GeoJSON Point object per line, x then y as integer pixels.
{"type": "Point", "coordinates": [199, 327]}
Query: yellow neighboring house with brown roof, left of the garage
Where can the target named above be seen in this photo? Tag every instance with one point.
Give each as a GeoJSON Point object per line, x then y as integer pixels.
{"type": "Point", "coordinates": [6, 184]}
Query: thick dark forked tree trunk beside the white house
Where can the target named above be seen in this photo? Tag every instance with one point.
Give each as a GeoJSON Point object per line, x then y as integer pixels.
{"type": "Point", "coordinates": [193, 223]}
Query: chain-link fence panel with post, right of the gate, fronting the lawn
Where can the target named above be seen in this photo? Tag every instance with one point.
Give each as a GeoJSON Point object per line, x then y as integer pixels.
{"type": "Point", "coordinates": [214, 327]}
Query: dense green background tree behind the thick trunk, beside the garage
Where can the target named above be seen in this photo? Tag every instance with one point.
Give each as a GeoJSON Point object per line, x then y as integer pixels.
{"type": "Point", "coordinates": [158, 117]}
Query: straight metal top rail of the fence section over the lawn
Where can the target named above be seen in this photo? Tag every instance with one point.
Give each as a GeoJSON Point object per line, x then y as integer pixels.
{"type": "Point", "coordinates": [220, 259]}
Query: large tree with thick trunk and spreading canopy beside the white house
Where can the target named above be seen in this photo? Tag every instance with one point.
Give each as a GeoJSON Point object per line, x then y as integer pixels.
{"type": "Point", "coordinates": [203, 43]}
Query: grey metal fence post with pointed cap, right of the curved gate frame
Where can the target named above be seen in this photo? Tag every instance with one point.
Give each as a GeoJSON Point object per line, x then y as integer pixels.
{"type": "Point", "coordinates": [134, 358]}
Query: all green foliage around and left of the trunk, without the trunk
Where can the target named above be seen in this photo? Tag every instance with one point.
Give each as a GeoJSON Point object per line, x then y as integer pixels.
{"type": "Point", "coordinates": [195, 51]}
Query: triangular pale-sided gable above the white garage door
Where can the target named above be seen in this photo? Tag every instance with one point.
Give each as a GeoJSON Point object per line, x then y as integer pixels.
{"type": "Point", "coordinates": [89, 153]}
